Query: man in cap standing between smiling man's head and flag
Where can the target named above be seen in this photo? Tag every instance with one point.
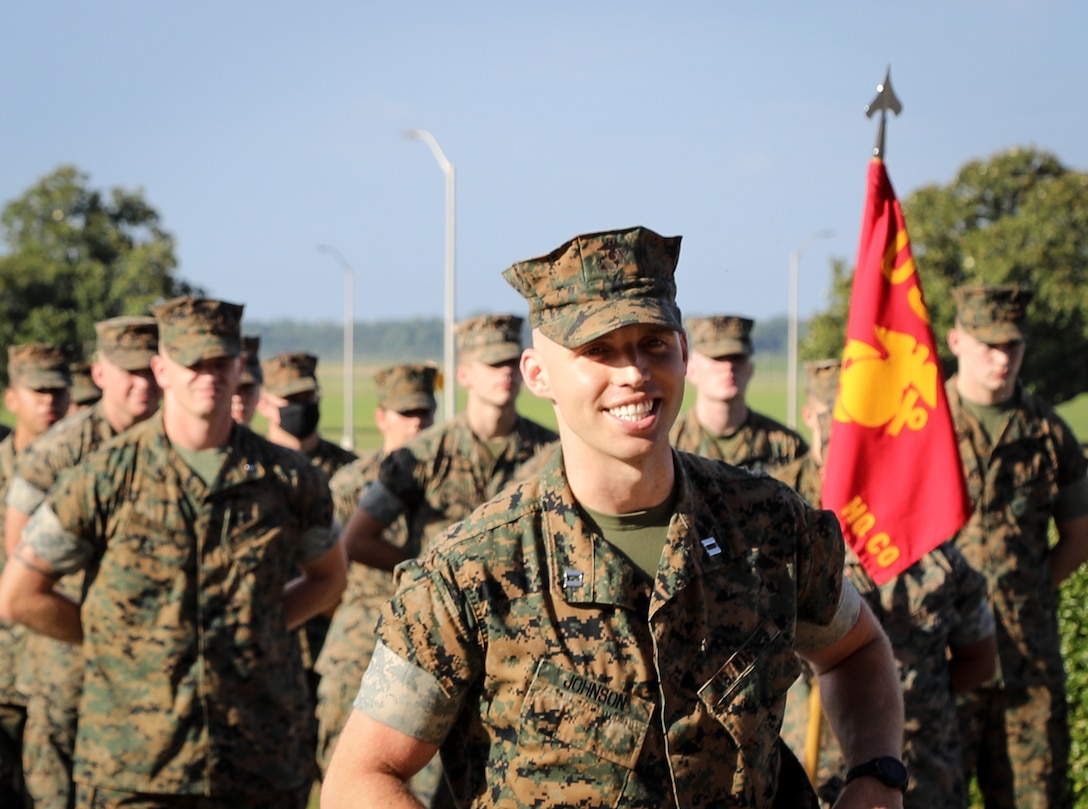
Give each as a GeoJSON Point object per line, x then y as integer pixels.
{"type": "Point", "coordinates": [721, 425]}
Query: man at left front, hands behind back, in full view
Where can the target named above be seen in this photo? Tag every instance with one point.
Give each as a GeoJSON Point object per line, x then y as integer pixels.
{"type": "Point", "coordinates": [207, 544]}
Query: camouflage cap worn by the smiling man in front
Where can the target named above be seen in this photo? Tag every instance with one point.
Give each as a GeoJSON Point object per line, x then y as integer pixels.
{"type": "Point", "coordinates": [600, 282]}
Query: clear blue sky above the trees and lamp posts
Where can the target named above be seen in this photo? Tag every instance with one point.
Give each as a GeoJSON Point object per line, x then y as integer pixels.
{"type": "Point", "coordinates": [261, 130]}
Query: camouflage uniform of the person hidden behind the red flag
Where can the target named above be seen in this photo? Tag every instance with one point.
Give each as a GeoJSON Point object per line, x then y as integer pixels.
{"type": "Point", "coordinates": [941, 602]}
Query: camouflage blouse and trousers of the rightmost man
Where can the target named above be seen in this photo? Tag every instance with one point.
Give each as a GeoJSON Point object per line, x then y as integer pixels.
{"type": "Point", "coordinates": [1015, 483]}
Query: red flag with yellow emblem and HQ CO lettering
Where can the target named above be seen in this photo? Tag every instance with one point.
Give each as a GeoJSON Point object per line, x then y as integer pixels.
{"type": "Point", "coordinates": [894, 476]}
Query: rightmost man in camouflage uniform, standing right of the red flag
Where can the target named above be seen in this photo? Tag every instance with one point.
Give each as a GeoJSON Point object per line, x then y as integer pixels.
{"type": "Point", "coordinates": [1024, 467]}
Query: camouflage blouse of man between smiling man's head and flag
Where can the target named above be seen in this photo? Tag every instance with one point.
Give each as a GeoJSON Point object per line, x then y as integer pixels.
{"type": "Point", "coordinates": [763, 444]}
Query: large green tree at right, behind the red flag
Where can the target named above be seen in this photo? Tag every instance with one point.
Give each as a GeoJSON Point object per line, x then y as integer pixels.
{"type": "Point", "coordinates": [1021, 218]}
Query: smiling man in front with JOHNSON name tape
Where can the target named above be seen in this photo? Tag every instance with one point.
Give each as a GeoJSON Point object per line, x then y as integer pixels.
{"type": "Point", "coordinates": [621, 630]}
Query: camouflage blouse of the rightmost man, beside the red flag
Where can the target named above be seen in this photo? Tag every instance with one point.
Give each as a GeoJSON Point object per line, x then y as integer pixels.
{"type": "Point", "coordinates": [1033, 471]}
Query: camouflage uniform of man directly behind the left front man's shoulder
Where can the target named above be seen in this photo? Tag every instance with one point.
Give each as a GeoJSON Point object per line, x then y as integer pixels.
{"type": "Point", "coordinates": [53, 671]}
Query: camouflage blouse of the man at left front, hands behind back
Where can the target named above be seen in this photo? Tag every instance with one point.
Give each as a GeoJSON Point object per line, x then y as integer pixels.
{"type": "Point", "coordinates": [192, 680]}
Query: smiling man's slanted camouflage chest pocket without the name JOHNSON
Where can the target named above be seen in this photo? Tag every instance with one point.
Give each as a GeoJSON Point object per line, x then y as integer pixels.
{"type": "Point", "coordinates": [749, 692]}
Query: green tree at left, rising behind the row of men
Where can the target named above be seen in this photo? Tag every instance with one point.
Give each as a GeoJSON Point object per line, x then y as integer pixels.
{"type": "Point", "coordinates": [78, 256]}
